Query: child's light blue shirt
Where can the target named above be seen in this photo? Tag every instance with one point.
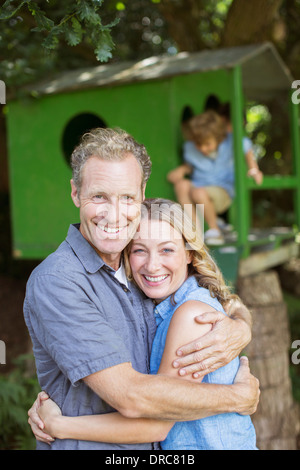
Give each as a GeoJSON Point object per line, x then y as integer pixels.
{"type": "Point", "coordinates": [214, 172]}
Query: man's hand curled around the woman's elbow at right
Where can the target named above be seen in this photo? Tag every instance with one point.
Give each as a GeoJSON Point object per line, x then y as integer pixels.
{"type": "Point", "coordinates": [247, 387]}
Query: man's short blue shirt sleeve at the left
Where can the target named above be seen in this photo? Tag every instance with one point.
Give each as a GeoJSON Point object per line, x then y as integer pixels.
{"type": "Point", "coordinates": [71, 328]}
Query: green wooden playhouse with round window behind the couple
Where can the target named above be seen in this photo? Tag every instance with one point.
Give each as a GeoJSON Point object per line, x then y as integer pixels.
{"type": "Point", "coordinates": [147, 99]}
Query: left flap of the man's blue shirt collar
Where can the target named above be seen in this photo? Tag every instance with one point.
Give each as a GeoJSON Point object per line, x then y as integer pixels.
{"type": "Point", "coordinates": [90, 259]}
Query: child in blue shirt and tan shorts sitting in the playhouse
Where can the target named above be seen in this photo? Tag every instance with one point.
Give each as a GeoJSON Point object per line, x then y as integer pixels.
{"type": "Point", "coordinates": [208, 157]}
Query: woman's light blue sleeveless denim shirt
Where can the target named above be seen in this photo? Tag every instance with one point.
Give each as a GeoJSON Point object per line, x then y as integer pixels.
{"type": "Point", "coordinates": [229, 431]}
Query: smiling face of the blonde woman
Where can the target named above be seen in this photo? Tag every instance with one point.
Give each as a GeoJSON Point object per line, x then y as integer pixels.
{"type": "Point", "coordinates": [158, 259]}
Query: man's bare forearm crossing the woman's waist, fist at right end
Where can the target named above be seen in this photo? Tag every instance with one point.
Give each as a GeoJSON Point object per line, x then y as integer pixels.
{"type": "Point", "coordinates": [136, 395]}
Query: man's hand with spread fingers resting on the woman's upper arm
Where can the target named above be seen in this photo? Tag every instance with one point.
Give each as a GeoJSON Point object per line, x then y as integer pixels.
{"type": "Point", "coordinates": [226, 339]}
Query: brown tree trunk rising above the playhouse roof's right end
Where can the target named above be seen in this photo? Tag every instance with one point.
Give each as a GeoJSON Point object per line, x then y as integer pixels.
{"type": "Point", "coordinates": [250, 22]}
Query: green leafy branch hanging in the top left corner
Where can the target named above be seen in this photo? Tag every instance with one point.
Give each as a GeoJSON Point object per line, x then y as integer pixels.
{"type": "Point", "coordinates": [81, 23]}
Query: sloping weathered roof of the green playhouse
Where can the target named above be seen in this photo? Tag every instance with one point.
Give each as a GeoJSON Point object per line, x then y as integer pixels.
{"type": "Point", "coordinates": [263, 71]}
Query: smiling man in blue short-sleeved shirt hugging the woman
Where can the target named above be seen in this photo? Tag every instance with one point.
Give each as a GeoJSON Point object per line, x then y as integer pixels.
{"type": "Point", "coordinates": [91, 330]}
